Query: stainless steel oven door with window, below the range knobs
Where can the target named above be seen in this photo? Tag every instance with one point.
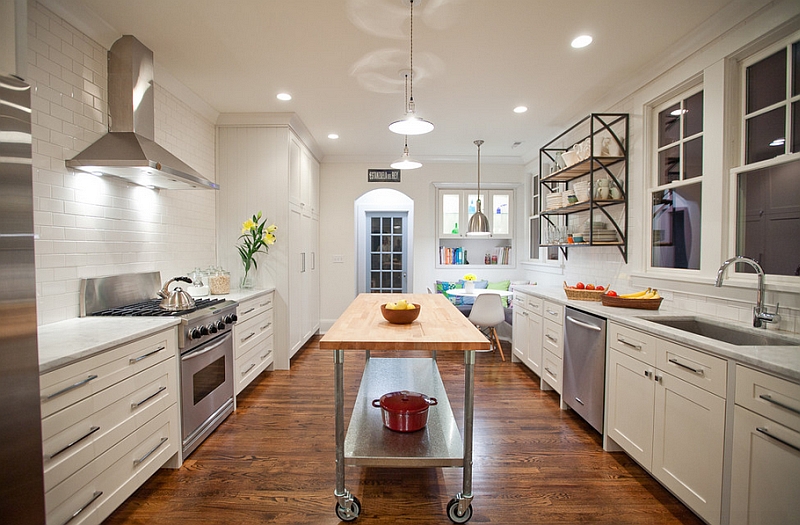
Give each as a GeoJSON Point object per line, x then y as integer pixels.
{"type": "Point", "coordinates": [206, 389]}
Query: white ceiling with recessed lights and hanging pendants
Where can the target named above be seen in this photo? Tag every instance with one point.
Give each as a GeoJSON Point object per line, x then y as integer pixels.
{"type": "Point", "coordinates": [475, 60]}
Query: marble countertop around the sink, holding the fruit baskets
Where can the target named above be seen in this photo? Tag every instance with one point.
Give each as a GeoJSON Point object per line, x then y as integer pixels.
{"type": "Point", "coordinates": [783, 361]}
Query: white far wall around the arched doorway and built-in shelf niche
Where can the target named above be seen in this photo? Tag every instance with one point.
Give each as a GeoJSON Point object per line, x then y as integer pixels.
{"type": "Point", "coordinates": [341, 184]}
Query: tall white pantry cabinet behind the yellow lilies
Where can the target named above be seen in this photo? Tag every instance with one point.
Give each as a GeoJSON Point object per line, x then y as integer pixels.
{"type": "Point", "coordinates": [268, 162]}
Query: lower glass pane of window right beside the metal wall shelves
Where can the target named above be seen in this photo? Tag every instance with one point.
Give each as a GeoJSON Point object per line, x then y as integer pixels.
{"type": "Point", "coordinates": [675, 234]}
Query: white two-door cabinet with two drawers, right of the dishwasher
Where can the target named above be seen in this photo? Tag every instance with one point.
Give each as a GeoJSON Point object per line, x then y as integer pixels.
{"type": "Point", "coordinates": [665, 407]}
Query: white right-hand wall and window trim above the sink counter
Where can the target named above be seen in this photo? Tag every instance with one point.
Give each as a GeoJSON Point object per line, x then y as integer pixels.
{"type": "Point", "coordinates": [687, 290]}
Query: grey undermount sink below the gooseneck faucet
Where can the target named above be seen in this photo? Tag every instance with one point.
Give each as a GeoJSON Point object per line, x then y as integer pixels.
{"type": "Point", "coordinates": [724, 332]}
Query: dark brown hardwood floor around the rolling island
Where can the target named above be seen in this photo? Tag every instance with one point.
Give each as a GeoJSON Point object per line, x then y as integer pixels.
{"type": "Point", "coordinates": [272, 461]}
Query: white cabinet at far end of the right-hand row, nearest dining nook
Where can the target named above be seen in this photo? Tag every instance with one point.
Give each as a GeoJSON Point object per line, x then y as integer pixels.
{"type": "Point", "coordinates": [527, 331]}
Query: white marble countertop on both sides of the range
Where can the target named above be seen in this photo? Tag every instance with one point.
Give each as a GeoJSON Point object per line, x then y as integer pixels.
{"type": "Point", "coordinates": [74, 339]}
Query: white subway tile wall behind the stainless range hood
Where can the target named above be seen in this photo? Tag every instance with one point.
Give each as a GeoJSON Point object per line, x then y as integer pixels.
{"type": "Point", "coordinates": [88, 226]}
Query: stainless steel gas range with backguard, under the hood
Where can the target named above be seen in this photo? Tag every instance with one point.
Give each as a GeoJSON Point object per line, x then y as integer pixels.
{"type": "Point", "coordinates": [205, 341]}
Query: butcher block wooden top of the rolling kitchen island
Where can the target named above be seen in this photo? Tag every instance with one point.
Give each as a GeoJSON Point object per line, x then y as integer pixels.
{"type": "Point", "coordinates": [440, 326]}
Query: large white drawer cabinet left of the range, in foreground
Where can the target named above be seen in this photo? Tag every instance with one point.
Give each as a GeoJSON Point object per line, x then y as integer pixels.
{"type": "Point", "coordinates": [108, 423]}
